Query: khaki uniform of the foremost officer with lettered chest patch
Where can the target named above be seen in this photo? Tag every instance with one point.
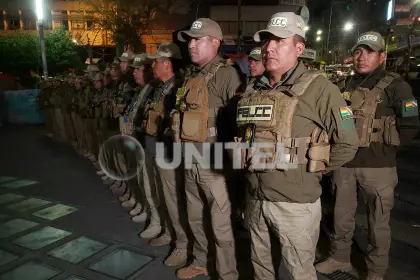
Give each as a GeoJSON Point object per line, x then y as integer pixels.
{"type": "Point", "coordinates": [286, 200]}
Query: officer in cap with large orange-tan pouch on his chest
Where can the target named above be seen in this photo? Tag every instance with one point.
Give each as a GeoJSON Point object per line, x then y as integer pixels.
{"type": "Point", "coordinates": [207, 89]}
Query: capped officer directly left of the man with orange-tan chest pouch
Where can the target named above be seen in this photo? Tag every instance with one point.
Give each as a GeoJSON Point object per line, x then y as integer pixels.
{"type": "Point", "coordinates": [166, 67]}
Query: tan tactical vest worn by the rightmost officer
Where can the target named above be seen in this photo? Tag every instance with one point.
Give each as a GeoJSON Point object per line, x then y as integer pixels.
{"type": "Point", "coordinates": [364, 103]}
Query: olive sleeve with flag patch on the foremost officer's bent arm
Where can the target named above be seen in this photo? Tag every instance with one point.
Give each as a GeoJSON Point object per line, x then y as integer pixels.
{"type": "Point", "coordinates": [338, 120]}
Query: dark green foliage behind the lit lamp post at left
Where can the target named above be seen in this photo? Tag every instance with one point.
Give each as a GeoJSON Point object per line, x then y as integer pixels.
{"type": "Point", "coordinates": [20, 53]}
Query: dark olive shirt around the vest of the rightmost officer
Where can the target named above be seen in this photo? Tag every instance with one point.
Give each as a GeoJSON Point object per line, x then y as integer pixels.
{"type": "Point", "coordinates": [377, 154]}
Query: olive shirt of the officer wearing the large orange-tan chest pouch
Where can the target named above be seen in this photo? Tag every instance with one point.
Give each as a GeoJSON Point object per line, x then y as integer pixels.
{"type": "Point", "coordinates": [225, 83]}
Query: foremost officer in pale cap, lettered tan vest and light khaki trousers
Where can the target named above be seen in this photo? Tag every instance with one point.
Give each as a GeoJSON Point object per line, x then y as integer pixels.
{"type": "Point", "coordinates": [295, 113]}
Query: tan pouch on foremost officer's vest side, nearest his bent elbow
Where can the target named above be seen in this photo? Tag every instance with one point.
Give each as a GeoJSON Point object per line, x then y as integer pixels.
{"type": "Point", "coordinates": [319, 151]}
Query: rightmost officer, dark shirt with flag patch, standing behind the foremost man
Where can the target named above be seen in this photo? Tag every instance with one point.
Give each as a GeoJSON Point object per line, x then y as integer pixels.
{"type": "Point", "coordinates": [386, 118]}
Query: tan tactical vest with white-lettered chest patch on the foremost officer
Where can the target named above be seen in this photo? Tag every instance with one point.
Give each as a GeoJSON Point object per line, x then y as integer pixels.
{"type": "Point", "coordinates": [265, 117]}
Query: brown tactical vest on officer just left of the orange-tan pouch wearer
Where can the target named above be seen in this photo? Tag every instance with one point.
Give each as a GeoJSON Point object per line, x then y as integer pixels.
{"type": "Point", "coordinates": [156, 113]}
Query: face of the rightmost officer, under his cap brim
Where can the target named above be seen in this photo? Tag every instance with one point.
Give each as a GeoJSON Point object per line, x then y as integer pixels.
{"type": "Point", "coordinates": [366, 60]}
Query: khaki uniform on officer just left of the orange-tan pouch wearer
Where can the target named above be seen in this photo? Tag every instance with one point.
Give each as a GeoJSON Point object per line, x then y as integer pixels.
{"type": "Point", "coordinates": [169, 183]}
